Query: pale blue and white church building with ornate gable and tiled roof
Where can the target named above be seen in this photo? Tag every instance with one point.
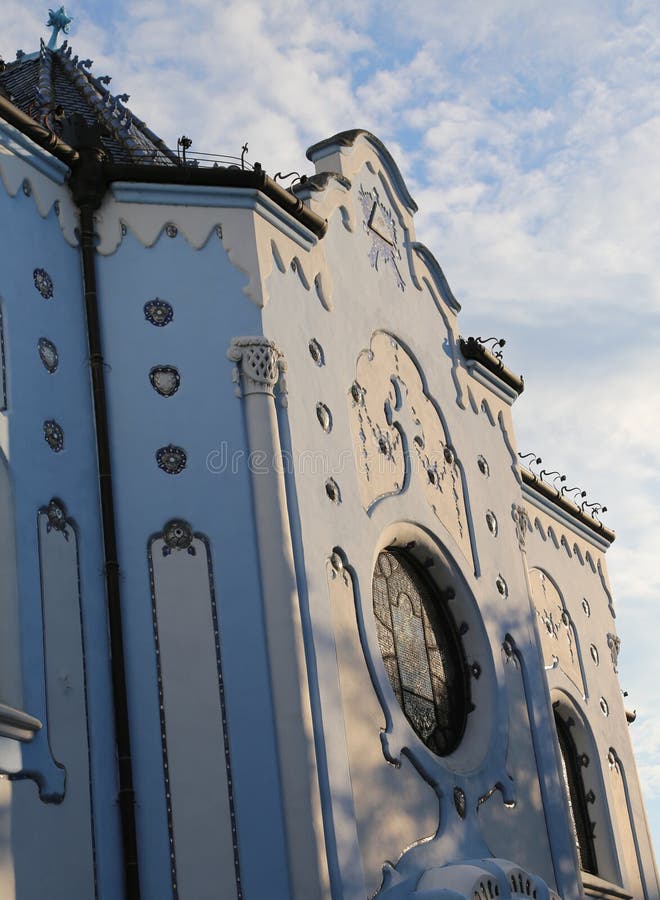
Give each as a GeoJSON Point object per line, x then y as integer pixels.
{"type": "Point", "coordinates": [284, 614]}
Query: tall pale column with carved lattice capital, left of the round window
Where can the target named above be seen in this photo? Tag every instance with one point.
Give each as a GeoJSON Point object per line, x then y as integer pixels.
{"type": "Point", "coordinates": [260, 366]}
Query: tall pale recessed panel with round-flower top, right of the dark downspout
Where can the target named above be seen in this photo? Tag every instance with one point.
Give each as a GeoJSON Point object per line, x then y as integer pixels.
{"type": "Point", "coordinates": [195, 745]}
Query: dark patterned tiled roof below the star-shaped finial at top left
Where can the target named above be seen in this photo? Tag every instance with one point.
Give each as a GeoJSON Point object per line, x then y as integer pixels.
{"type": "Point", "coordinates": [53, 86]}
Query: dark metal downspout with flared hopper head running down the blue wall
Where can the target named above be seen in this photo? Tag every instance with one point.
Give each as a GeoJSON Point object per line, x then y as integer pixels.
{"type": "Point", "coordinates": [88, 187]}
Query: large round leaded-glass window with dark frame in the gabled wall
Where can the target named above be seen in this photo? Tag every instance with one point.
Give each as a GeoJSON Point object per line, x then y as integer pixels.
{"type": "Point", "coordinates": [422, 650]}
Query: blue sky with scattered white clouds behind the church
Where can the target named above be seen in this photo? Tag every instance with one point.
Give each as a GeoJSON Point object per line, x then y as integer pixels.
{"type": "Point", "coordinates": [528, 134]}
